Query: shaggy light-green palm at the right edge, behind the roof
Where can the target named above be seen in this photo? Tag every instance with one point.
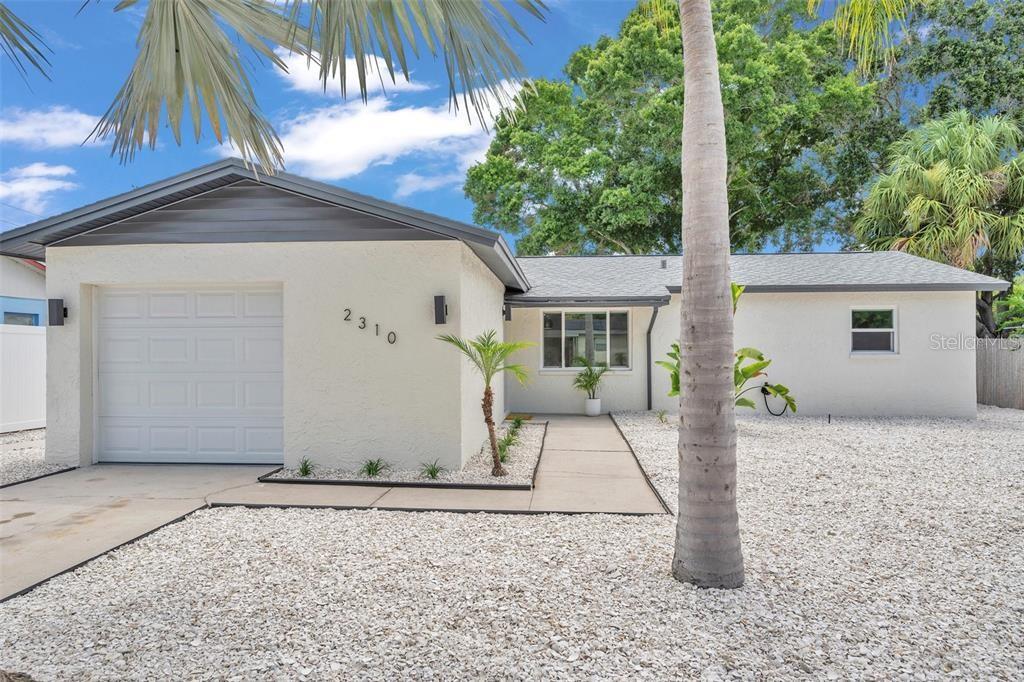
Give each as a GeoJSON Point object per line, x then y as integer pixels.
{"type": "Point", "coordinates": [954, 192]}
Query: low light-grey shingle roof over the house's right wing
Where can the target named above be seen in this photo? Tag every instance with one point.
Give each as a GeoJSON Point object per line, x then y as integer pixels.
{"type": "Point", "coordinates": [642, 280]}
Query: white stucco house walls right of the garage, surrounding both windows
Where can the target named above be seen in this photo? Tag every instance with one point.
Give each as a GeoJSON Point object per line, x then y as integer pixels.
{"type": "Point", "coordinates": [807, 337]}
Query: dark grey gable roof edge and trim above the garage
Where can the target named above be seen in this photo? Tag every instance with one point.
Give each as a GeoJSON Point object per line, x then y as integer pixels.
{"type": "Point", "coordinates": [31, 241]}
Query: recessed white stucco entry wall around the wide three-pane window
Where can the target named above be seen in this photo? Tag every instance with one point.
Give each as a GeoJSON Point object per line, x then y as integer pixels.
{"type": "Point", "coordinates": [551, 391]}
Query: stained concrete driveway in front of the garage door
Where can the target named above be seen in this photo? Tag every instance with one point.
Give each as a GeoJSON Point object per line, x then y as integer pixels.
{"type": "Point", "coordinates": [56, 524]}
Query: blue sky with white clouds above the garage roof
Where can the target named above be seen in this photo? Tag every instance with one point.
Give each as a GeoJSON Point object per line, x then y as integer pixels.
{"type": "Point", "coordinates": [405, 146]}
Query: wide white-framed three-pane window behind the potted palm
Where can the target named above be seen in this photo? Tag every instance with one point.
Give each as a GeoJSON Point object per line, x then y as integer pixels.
{"type": "Point", "coordinates": [601, 336]}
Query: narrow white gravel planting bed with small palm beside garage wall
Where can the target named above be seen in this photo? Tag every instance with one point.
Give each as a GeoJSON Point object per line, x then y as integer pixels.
{"type": "Point", "coordinates": [521, 464]}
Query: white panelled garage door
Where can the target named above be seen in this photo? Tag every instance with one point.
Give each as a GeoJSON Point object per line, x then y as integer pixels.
{"type": "Point", "coordinates": [190, 375]}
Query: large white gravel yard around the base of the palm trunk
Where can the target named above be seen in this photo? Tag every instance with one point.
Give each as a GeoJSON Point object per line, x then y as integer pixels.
{"type": "Point", "coordinates": [875, 549]}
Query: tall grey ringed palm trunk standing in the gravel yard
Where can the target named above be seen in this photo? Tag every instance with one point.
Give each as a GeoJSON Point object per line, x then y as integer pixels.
{"type": "Point", "coordinates": [708, 551]}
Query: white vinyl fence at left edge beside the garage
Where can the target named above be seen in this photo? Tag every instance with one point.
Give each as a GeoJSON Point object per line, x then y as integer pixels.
{"type": "Point", "coordinates": [23, 377]}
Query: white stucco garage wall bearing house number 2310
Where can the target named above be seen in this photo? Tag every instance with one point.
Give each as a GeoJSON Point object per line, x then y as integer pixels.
{"type": "Point", "coordinates": [349, 396]}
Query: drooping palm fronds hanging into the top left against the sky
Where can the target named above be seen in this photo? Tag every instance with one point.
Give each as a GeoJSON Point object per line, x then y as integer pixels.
{"type": "Point", "coordinates": [187, 55]}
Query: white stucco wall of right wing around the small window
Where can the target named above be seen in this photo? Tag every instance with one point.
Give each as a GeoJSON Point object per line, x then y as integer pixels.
{"type": "Point", "coordinates": [807, 337]}
